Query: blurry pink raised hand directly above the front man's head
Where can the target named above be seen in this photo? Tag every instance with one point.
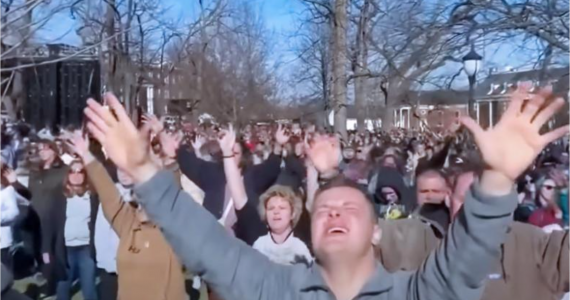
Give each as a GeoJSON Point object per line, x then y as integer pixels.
{"type": "Point", "coordinates": [324, 152]}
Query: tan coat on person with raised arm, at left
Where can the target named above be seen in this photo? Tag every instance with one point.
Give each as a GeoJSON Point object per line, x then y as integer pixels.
{"type": "Point", "coordinates": [147, 267]}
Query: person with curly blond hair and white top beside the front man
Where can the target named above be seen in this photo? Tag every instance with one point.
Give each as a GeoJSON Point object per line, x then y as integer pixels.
{"type": "Point", "coordinates": [281, 210]}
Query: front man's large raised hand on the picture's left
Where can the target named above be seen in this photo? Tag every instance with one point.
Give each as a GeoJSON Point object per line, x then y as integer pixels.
{"type": "Point", "coordinates": [124, 144]}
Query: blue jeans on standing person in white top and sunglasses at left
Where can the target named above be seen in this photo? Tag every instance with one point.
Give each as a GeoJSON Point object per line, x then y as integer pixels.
{"type": "Point", "coordinates": [80, 266]}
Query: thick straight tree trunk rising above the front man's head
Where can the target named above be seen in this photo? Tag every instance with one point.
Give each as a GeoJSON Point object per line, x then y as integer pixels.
{"type": "Point", "coordinates": [339, 67]}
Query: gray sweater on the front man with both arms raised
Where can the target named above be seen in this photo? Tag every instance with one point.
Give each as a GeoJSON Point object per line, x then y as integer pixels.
{"type": "Point", "coordinates": [456, 270]}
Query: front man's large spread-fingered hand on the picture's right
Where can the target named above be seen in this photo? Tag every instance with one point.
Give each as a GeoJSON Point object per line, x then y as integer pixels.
{"type": "Point", "coordinates": [512, 145]}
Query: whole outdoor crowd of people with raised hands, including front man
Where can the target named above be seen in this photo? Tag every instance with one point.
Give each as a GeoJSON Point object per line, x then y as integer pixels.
{"type": "Point", "coordinates": [163, 211]}
